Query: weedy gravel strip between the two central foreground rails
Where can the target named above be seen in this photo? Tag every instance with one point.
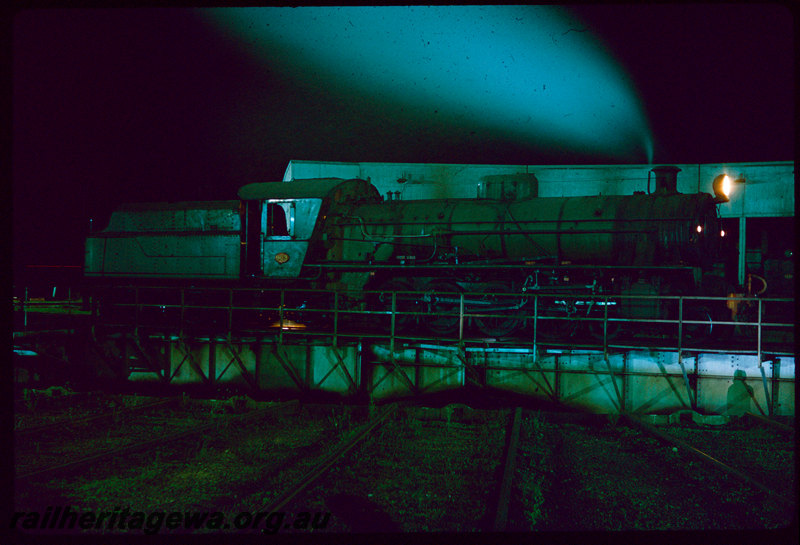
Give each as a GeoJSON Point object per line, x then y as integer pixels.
{"type": "Point", "coordinates": [415, 476]}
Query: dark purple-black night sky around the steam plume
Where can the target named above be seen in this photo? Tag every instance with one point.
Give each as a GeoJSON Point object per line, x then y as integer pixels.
{"type": "Point", "coordinates": [111, 106]}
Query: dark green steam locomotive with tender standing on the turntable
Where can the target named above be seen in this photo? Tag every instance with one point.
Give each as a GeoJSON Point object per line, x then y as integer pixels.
{"type": "Point", "coordinates": [488, 253]}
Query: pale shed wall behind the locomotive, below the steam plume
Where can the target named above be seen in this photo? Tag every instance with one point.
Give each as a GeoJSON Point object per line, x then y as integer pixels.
{"type": "Point", "coordinates": [768, 191]}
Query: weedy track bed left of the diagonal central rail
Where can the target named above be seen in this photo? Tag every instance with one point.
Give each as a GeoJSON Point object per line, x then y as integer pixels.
{"type": "Point", "coordinates": [206, 466]}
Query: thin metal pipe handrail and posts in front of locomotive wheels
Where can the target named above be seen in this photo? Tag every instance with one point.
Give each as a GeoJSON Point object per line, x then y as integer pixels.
{"type": "Point", "coordinates": [466, 309]}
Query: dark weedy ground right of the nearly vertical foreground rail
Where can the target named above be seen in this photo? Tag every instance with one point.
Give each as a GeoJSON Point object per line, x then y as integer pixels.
{"type": "Point", "coordinates": [596, 476]}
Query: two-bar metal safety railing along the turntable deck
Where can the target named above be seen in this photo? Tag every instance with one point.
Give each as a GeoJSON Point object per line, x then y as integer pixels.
{"type": "Point", "coordinates": [741, 325]}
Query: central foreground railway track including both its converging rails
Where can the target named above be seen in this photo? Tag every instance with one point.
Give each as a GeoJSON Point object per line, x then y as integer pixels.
{"type": "Point", "coordinates": [469, 464]}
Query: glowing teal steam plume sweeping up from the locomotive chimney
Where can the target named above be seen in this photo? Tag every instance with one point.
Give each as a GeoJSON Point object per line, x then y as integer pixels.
{"type": "Point", "coordinates": [535, 75]}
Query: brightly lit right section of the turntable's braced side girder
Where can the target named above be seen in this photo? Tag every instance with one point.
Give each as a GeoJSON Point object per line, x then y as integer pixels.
{"type": "Point", "coordinates": [644, 381]}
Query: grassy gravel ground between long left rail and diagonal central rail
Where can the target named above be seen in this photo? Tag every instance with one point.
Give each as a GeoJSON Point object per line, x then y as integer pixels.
{"type": "Point", "coordinates": [214, 472]}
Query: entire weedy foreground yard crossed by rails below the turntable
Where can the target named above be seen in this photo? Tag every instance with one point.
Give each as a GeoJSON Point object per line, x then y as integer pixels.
{"type": "Point", "coordinates": [408, 468]}
